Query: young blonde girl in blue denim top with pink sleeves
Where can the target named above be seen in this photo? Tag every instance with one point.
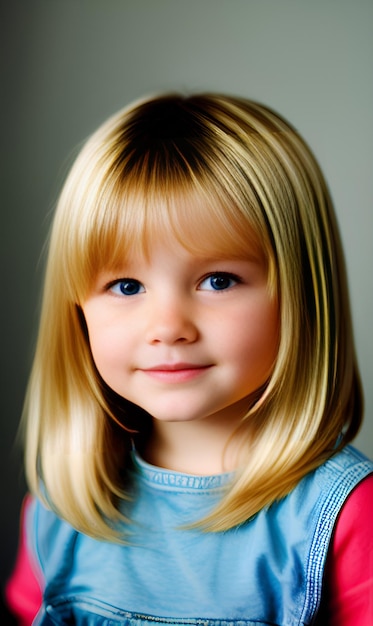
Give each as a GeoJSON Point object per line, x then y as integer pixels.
{"type": "Point", "coordinates": [195, 385]}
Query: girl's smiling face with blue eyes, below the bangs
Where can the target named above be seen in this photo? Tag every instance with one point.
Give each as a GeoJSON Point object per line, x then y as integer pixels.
{"type": "Point", "coordinates": [184, 337]}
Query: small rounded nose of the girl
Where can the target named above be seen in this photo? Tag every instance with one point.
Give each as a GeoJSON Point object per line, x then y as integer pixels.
{"type": "Point", "coordinates": [171, 322]}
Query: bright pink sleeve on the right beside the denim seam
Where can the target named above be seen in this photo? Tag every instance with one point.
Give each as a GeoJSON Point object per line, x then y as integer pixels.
{"type": "Point", "coordinates": [349, 571]}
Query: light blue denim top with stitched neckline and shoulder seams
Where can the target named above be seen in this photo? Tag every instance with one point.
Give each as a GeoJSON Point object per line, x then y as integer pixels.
{"type": "Point", "coordinates": [268, 571]}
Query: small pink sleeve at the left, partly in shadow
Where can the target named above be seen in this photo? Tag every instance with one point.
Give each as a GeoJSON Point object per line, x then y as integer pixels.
{"type": "Point", "coordinates": [23, 591]}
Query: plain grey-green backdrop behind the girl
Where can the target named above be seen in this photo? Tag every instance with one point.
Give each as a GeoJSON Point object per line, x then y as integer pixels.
{"type": "Point", "coordinates": [68, 64]}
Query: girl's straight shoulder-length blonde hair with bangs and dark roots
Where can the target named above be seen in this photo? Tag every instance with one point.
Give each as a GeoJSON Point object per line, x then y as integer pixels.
{"type": "Point", "coordinates": [225, 167]}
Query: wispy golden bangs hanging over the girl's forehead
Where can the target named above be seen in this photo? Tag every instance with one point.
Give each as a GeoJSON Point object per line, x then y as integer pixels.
{"type": "Point", "coordinates": [205, 223]}
